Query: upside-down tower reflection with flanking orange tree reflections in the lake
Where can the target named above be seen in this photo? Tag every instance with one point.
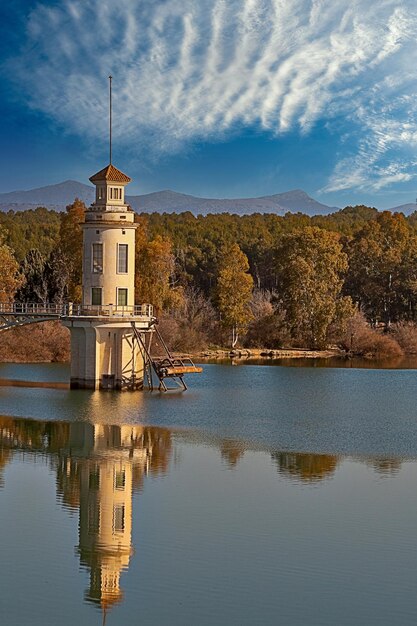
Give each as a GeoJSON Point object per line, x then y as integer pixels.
{"type": "Point", "coordinates": [98, 472]}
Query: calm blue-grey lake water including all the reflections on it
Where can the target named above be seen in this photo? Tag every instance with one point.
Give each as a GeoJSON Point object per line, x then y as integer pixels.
{"type": "Point", "coordinates": [263, 495]}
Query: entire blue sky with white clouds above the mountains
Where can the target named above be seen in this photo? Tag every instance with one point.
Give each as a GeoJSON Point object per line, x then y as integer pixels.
{"type": "Point", "coordinates": [220, 98]}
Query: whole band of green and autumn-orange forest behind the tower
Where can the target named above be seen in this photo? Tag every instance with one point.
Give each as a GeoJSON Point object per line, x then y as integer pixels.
{"type": "Point", "coordinates": [348, 279]}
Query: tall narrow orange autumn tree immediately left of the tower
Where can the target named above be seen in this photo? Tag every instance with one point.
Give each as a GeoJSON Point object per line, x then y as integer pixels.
{"type": "Point", "coordinates": [71, 246]}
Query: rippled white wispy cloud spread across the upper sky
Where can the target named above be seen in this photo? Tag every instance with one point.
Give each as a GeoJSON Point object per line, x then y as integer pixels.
{"type": "Point", "coordinates": [187, 71]}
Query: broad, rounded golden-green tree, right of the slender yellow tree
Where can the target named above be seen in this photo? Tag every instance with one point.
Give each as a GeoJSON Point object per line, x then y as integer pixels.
{"type": "Point", "coordinates": [311, 265]}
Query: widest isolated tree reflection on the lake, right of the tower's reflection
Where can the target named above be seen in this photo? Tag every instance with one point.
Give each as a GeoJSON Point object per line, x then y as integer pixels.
{"type": "Point", "coordinates": [305, 467]}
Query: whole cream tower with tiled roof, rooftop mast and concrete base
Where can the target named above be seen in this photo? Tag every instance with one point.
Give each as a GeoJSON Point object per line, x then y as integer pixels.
{"type": "Point", "coordinates": [104, 353]}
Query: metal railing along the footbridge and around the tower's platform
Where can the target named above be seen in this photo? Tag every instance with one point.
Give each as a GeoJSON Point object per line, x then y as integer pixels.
{"type": "Point", "coordinates": [71, 309]}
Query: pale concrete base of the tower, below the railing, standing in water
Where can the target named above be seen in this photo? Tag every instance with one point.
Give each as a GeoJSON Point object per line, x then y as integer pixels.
{"type": "Point", "coordinates": [105, 356]}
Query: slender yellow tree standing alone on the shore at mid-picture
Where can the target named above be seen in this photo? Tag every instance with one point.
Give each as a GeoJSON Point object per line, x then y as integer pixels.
{"type": "Point", "coordinates": [234, 290]}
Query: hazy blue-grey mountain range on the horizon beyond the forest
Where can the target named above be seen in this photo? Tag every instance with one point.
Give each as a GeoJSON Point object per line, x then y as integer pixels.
{"type": "Point", "coordinates": [58, 196]}
